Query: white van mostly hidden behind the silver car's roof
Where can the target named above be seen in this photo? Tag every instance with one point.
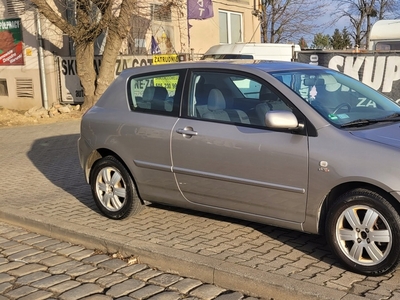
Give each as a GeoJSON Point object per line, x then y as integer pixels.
{"type": "Point", "coordinates": [258, 51]}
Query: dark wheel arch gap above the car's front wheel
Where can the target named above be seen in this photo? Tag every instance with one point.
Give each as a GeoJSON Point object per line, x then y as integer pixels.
{"type": "Point", "coordinates": [333, 196]}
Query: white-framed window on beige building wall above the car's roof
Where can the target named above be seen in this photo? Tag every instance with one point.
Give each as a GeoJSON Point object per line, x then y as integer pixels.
{"type": "Point", "coordinates": [230, 27]}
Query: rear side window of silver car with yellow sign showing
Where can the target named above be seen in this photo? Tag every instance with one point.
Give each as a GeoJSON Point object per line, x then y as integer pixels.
{"type": "Point", "coordinates": [155, 93]}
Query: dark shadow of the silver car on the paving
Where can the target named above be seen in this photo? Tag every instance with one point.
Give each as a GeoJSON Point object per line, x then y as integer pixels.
{"type": "Point", "coordinates": [57, 159]}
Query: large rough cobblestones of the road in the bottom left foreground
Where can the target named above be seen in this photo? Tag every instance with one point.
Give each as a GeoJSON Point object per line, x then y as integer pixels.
{"type": "Point", "coordinates": [34, 266]}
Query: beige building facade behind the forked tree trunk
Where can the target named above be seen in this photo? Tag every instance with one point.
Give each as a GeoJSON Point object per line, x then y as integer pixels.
{"type": "Point", "coordinates": [37, 59]}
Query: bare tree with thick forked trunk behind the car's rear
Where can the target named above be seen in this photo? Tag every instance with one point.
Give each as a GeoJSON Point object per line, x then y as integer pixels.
{"type": "Point", "coordinates": [92, 17]}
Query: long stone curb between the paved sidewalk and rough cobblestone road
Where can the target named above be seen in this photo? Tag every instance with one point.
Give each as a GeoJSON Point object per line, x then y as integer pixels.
{"type": "Point", "coordinates": [223, 274]}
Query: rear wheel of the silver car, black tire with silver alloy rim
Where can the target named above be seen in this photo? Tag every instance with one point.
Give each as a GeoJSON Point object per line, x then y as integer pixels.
{"type": "Point", "coordinates": [113, 189]}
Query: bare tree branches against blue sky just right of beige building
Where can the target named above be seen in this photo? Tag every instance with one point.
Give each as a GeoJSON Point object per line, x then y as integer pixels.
{"type": "Point", "coordinates": [289, 20]}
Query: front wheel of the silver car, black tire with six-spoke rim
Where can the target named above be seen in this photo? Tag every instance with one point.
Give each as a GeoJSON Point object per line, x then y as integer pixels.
{"type": "Point", "coordinates": [362, 229]}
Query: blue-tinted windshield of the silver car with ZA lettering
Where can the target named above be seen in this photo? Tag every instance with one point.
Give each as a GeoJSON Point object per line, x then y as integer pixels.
{"type": "Point", "coordinates": [340, 99]}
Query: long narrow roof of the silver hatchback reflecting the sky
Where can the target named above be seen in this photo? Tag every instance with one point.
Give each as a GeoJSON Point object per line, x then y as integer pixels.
{"type": "Point", "coordinates": [242, 64]}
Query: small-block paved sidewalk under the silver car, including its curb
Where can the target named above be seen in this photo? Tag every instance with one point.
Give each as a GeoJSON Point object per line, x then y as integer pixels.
{"type": "Point", "coordinates": [44, 191]}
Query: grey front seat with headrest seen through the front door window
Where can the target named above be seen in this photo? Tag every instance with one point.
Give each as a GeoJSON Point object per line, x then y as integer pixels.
{"type": "Point", "coordinates": [217, 109]}
